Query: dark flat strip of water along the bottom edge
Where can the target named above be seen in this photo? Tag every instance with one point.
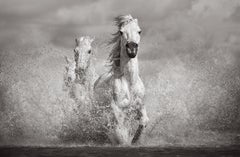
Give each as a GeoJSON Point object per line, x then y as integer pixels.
{"type": "Point", "coordinates": [118, 151]}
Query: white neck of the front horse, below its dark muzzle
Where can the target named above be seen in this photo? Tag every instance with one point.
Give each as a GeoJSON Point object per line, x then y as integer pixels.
{"type": "Point", "coordinates": [129, 66]}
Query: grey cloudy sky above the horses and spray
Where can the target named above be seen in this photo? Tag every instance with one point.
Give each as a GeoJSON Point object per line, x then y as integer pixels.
{"type": "Point", "coordinates": [58, 21]}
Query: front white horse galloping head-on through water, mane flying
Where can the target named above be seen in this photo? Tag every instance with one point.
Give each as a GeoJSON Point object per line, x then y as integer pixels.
{"type": "Point", "coordinates": [122, 88]}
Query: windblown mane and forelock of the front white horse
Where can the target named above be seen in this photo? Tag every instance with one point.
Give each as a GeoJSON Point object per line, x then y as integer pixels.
{"type": "Point", "coordinates": [114, 56]}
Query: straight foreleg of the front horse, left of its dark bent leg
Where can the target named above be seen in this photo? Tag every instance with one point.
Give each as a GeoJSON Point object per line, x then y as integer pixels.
{"type": "Point", "coordinates": [121, 131]}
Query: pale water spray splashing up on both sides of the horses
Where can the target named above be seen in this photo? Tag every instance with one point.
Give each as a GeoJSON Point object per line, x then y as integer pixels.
{"type": "Point", "coordinates": [191, 99]}
